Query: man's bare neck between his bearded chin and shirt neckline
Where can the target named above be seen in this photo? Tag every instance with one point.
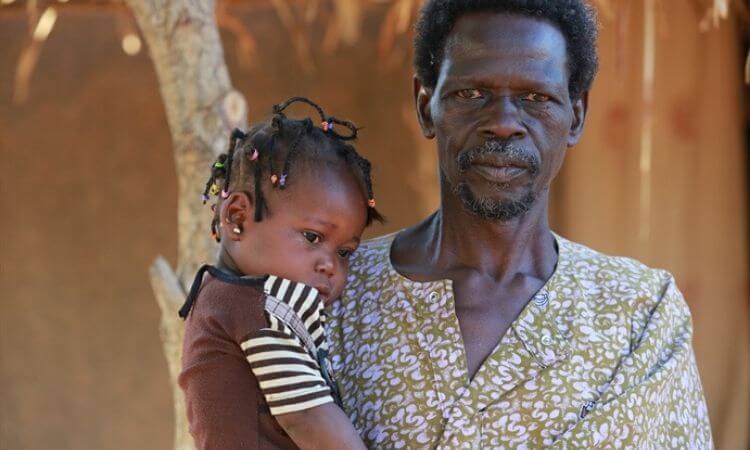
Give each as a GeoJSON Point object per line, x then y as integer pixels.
{"type": "Point", "coordinates": [455, 243]}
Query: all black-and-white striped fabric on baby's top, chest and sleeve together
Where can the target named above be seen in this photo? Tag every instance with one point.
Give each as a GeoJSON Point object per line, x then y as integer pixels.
{"type": "Point", "coordinates": [283, 362]}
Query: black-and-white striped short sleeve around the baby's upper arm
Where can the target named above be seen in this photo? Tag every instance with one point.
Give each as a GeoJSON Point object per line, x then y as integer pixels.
{"type": "Point", "coordinates": [288, 376]}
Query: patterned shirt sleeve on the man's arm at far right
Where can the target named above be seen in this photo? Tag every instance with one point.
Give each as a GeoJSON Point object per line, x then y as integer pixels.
{"type": "Point", "coordinates": [655, 400]}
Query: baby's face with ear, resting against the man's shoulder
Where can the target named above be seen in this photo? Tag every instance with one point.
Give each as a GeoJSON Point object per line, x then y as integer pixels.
{"type": "Point", "coordinates": [308, 232]}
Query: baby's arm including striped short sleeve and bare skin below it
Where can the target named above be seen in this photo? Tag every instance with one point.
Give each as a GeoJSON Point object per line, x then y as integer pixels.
{"type": "Point", "coordinates": [296, 392]}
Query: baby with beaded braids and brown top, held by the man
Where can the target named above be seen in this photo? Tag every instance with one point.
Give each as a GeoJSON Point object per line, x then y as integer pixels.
{"type": "Point", "coordinates": [293, 201]}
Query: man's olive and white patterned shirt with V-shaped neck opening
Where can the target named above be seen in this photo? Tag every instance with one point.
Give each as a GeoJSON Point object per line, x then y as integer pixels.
{"type": "Point", "coordinates": [600, 357]}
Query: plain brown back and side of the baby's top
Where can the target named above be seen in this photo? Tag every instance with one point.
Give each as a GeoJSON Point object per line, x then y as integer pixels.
{"type": "Point", "coordinates": [220, 389]}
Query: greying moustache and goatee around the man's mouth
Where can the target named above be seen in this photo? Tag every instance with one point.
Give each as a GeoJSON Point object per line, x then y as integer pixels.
{"type": "Point", "coordinates": [487, 208]}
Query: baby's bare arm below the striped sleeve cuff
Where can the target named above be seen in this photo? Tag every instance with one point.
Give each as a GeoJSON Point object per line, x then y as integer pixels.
{"type": "Point", "coordinates": [321, 428]}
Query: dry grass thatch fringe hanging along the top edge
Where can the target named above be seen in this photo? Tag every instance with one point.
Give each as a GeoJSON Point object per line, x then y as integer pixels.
{"type": "Point", "coordinates": [341, 19]}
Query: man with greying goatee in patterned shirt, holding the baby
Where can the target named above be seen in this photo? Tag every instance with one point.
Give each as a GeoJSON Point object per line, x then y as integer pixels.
{"type": "Point", "coordinates": [479, 327]}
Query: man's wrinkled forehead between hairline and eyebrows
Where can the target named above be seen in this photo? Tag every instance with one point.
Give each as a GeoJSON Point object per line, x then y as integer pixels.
{"type": "Point", "coordinates": [498, 44]}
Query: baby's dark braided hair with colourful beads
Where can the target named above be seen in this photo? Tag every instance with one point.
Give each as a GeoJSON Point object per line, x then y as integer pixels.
{"type": "Point", "coordinates": [270, 148]}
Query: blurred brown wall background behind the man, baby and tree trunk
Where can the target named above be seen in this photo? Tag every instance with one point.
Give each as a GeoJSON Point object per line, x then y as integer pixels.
{"type": "Point", "coordinates": [90, 194]}
